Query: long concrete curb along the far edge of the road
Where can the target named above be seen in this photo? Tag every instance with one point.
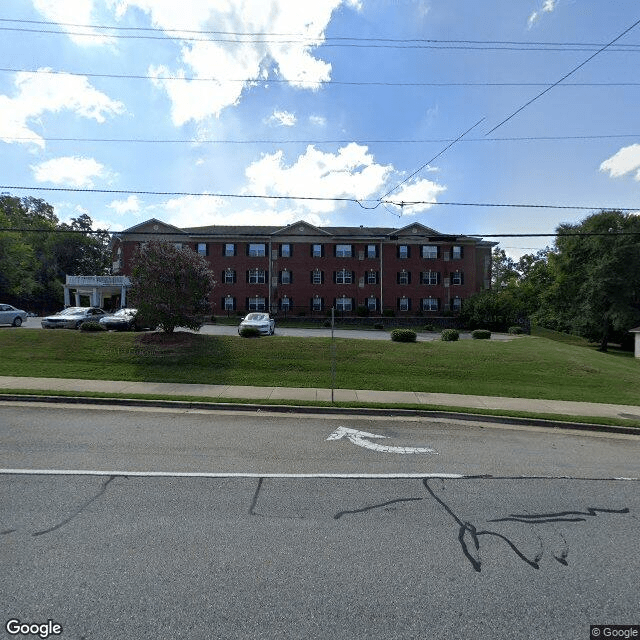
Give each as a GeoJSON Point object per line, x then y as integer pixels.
{"type": "Point", "coordinates": [365, 411]}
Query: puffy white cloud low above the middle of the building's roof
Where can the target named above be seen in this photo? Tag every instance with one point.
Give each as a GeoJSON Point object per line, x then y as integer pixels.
{"type": "Point", "coordinates": [349, 173]}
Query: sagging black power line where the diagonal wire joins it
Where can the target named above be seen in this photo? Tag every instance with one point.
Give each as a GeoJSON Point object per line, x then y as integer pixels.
{"type": "Point", "coordinates": [359, 201]}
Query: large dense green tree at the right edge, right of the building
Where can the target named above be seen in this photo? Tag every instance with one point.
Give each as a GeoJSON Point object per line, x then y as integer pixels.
{"type": "Point", "coordinates": [596, 286]}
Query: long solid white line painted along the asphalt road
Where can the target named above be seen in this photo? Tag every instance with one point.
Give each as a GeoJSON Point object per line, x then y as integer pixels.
{"type": "Point", "coordinates": [372, 476]}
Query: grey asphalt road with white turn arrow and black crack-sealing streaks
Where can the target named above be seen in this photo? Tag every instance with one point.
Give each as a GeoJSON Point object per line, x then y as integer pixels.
{"type": "Point", "coordinates": [126, 554]}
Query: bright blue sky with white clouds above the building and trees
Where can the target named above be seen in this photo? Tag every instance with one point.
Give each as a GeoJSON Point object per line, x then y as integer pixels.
{"type": "Point", "coordinates": [335, 99]}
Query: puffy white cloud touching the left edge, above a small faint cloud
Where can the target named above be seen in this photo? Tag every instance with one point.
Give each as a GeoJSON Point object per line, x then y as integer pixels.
{"type": "Point", "coordinates": [39, 94]}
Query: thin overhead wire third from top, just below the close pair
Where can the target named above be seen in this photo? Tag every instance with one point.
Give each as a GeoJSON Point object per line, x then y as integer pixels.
{"type": "Point", "coordinates": [357, 83]}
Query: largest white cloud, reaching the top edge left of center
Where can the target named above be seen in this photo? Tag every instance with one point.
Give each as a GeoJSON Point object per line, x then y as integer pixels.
{"type": "Point", "coordinates": [237, 66]}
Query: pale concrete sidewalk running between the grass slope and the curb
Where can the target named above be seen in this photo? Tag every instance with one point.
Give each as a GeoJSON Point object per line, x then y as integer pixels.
{"type": "Point", "coordinates": [255, 394]}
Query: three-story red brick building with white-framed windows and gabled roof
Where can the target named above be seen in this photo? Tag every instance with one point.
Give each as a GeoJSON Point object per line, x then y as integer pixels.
{"type": "Point", "coordinates": [301, 269]}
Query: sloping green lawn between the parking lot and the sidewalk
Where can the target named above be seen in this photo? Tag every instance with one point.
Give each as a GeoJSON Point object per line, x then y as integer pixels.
{"type": "Point", "coordinates": [526, 367]}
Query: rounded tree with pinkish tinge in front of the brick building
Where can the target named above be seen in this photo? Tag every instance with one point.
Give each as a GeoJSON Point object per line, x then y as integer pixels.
{"type": "Point", "coordinates": [170, 286]}
